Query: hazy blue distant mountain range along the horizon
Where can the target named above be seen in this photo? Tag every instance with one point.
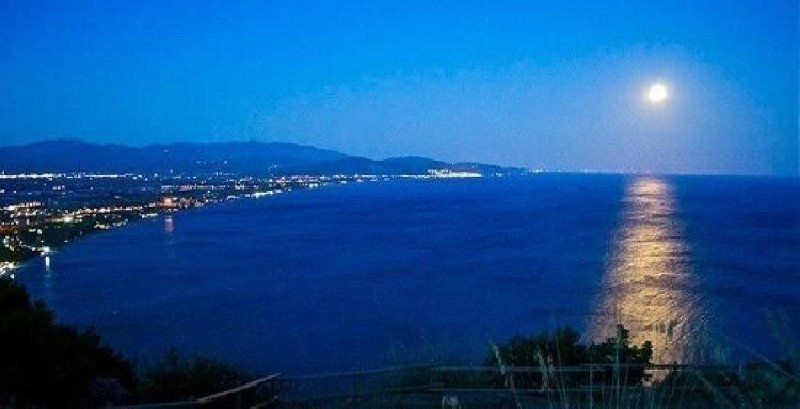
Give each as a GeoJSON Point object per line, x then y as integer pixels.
{"type": "Point", "coordinates": [252, 158]}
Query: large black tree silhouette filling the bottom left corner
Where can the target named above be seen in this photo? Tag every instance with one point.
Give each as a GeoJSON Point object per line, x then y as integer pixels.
{"type": "Point", "coordinates": [46, 364]}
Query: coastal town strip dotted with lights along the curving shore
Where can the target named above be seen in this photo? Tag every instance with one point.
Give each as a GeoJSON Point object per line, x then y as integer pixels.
{"type": "Point", "coordinates": [42, 211]}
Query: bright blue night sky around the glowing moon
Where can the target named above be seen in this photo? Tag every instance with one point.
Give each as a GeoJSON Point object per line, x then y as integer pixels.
{"type": "Point", "coordinates": [559, 85]}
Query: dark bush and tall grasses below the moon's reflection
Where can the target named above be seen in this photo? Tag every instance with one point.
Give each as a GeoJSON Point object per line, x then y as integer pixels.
{"type": "Point", "coordinates": [563, 372]}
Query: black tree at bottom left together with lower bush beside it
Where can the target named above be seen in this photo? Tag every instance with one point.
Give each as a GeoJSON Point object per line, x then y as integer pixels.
{"type": "Point", "coordinates": [44, 364]}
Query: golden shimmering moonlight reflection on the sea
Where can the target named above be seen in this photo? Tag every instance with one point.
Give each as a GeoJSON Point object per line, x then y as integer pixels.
{"type": "Point", "coordinates": [648, 282]}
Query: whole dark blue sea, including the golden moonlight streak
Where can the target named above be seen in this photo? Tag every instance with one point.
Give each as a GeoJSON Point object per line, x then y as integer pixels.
{"type": "Point", "coordinates": [371, 274]}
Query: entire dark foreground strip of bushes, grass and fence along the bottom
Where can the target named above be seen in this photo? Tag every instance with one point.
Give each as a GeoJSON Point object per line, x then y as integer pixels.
{"type": "Point", "coordinates": [45, 364]}
